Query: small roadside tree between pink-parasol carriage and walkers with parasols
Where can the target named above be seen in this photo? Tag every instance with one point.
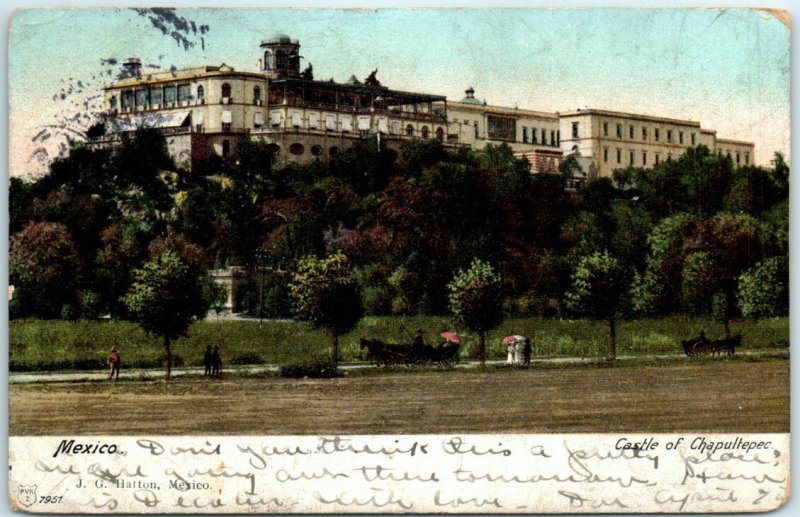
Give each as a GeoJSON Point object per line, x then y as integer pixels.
{"type": "Point", "coordinates": [476, 300]}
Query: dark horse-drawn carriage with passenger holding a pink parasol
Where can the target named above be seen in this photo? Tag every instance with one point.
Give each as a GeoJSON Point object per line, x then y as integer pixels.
{"type": "Point", "coordinates": [388, 354]}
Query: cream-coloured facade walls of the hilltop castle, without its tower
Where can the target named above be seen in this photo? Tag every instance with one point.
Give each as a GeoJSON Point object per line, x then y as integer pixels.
{"type": "Point", "coordinates": [606, 140]}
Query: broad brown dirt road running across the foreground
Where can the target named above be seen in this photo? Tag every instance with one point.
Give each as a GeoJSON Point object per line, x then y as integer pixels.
{"type": "Point", "coordinates": [725, 396]}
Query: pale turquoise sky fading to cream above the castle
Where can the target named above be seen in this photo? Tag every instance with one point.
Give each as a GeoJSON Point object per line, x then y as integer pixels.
{"type": "Point", "coordinates": [727, 69]}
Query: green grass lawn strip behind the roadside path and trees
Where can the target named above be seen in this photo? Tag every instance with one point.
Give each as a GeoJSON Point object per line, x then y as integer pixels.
{"type": "Point", "coordinates": [84, 345]}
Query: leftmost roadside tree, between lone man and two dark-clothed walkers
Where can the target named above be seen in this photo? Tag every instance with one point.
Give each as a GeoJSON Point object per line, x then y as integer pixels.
{"type": "Point", "coordinates": [166, 297]}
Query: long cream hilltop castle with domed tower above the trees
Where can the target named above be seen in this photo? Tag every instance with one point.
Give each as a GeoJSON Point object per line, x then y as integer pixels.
{"type": "Point", "coordinates": [209, 109]}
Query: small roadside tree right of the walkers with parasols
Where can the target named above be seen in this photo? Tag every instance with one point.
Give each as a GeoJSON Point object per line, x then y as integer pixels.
{"type": "Point", "coordinates": [599, 287]}
